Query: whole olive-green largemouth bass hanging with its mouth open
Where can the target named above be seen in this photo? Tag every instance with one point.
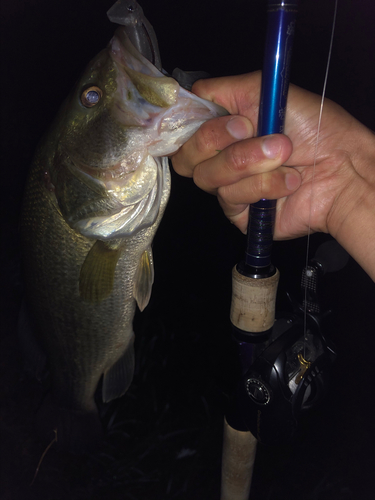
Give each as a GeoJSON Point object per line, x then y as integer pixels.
{"type": "Point", "coordinates": [95, 196]}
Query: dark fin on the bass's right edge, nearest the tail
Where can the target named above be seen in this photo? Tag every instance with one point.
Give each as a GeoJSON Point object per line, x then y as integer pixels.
{"type": "Point", "coordinates": [118, 378]}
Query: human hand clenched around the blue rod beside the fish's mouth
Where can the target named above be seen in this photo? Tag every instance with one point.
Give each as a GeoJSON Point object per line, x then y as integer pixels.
{"type": "Point", "coordinates": [225, 158]}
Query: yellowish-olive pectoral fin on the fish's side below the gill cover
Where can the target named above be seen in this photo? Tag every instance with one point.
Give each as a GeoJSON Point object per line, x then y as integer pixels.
{"type": "Point", "coordinates": [98, 272]}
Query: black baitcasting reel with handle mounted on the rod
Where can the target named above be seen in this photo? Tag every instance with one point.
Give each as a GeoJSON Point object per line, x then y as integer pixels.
{"type": "Point", "coordinates": [287, 371]}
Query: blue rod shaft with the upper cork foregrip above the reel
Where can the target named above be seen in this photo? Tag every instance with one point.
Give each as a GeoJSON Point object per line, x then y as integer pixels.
{"type": "Point", "coordinates": [256, 273]}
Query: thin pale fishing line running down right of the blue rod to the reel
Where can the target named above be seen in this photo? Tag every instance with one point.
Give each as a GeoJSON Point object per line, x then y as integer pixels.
{"type": "Point", "coordinates": [314, 168]}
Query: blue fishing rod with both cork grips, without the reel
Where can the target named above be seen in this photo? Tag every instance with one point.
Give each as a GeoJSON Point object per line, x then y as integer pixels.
{"type": "Point", "coordinates": [255, 279]}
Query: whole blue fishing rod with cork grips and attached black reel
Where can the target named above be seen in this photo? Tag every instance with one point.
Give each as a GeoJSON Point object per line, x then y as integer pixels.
{"type": "Point", "coordinates": [284, 359]}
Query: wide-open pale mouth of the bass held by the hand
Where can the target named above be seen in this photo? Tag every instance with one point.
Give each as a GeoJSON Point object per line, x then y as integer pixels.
{"type": "Point", "coordinates": [166, 114]}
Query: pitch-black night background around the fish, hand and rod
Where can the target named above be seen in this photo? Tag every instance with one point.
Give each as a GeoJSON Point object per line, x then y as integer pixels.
{"type": "Point", "coordinates": [164, 437]}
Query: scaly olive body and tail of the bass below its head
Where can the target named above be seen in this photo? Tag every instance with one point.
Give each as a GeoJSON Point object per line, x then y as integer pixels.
{"type": "Point", "coordinates": [82, 340]}
